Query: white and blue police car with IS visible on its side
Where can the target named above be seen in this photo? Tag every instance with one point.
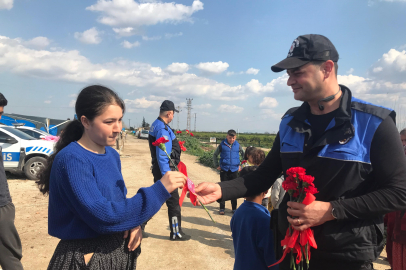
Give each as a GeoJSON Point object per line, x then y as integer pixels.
{"type": "Point", "coordinates": [23, 153]}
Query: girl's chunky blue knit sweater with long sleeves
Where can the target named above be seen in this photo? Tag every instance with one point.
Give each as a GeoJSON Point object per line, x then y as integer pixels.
{"type": "Point", "coordinates": [87, 195]}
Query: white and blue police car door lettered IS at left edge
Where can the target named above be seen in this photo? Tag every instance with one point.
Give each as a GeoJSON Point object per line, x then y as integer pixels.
{"type": "Point", "coordinates": [11, 150]}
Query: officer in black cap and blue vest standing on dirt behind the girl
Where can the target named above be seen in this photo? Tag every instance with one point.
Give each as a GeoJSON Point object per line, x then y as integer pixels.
{"type": "Point", "coordinates": [161, 164]}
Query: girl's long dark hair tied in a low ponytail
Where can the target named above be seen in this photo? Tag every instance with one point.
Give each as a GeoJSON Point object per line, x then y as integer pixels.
{"type": "Point", "coordinates": [91, 102]}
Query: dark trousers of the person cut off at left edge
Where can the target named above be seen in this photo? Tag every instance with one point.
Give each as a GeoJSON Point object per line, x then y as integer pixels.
{"type": "Point", "coordinates": [10, 244]}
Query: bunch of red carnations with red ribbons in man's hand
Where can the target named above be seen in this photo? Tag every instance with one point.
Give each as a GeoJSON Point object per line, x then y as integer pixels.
{"type": "Point", "coordinates": [301, 189]}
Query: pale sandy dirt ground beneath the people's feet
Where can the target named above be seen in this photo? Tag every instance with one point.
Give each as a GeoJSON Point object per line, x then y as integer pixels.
{"type": "Point", "coordinates": [211, 246]}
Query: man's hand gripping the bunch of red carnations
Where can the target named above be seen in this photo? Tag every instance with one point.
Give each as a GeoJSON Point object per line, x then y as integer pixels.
{"type": "Point", "coordinates": [311, 215]}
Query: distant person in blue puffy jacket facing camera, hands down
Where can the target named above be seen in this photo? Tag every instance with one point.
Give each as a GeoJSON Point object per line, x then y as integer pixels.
{"type": "Point", "coordinates": [229, 150]}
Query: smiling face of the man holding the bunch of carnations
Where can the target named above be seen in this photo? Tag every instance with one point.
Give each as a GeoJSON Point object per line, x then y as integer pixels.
{"type": "Point", "coordinates": [306, 82]}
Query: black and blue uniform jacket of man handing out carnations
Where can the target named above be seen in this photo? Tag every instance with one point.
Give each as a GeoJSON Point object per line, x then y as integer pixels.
{"type": "Point", "coordinates": [359, 166]}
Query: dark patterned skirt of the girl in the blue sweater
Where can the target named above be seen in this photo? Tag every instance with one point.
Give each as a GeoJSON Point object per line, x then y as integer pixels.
{"type": "Point", "coordinates": [110, 253]}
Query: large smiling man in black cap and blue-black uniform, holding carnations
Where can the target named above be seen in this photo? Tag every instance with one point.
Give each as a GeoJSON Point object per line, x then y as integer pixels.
{"type": "Point", "coordinates": [352, 149]}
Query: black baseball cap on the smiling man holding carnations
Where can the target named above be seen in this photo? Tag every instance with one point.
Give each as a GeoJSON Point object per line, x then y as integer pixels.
{"type": "Point", "coordinates": [305, 49]}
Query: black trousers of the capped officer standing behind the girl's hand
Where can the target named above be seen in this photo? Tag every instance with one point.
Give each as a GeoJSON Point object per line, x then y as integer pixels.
{"type": "Point", "coordinates": [174, 213]}
